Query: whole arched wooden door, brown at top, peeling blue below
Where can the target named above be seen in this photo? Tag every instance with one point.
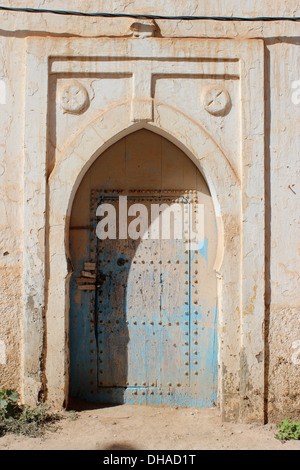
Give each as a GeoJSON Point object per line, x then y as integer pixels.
{"type": "Point", "coordinates": [143, 313]}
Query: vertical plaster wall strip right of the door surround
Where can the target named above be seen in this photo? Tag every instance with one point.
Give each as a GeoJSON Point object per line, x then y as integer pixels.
{"type": "Point", "coordinates": [284, 366]}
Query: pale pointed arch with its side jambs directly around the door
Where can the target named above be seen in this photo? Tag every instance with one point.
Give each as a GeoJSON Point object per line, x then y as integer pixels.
{"type": "Point", "coordinates": [223, 183]}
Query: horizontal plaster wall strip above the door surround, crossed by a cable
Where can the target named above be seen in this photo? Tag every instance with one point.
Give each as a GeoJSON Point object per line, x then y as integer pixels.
{"type": "Point", "coordinates": [30, 24]}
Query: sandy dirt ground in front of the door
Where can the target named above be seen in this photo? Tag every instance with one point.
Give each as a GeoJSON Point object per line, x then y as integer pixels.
{"type": "Point", "coordinates": [138, 427]}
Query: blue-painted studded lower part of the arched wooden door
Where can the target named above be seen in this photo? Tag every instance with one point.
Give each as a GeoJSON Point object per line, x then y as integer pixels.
{"type": "Point", "coordinates": [148, 335]}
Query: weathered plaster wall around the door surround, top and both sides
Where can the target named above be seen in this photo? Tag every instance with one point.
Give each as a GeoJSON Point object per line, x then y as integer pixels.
{"type": "Point", "coordinates": [282, 163]}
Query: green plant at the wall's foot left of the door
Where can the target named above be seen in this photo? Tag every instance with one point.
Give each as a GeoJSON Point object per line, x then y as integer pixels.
{"type": "Point", "coordinates": [22, 419]}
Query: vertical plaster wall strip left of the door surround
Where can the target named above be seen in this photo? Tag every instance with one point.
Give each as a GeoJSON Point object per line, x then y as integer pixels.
{"type": "Point", "coordinates": [11, 210]}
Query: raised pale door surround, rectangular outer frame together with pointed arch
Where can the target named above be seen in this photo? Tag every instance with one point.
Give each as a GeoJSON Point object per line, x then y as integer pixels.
{"type": "Point", "coordinates": [238, 202]}
